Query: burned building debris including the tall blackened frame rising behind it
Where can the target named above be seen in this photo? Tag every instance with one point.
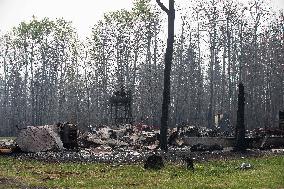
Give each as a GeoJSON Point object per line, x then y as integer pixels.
{"type": "Point", "coordinates": [131, 143]}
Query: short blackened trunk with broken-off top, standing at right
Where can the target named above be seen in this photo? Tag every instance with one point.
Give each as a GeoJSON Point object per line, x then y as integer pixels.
{"type": "Point", "coordinates": [240, 127]}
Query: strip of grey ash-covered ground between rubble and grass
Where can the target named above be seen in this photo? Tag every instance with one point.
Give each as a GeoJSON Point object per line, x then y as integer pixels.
{"type": "Point", "coordinates": [122, 156]}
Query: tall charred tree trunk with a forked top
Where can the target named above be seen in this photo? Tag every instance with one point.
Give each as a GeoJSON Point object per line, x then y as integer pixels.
{"type": "Point", "coordinates": [167, 73]}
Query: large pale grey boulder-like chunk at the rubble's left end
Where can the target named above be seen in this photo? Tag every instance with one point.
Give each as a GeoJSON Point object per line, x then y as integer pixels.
{"type": "Point", "coordinates": [39, 139]}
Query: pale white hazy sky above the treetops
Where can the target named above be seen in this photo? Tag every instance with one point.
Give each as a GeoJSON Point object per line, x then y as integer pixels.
{"type": "Point", "coordinates": [83, 13]}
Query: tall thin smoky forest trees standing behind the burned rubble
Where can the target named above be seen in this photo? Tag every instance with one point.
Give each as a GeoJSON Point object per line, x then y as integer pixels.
{"type": "Point", "coordinates": [50, 75]}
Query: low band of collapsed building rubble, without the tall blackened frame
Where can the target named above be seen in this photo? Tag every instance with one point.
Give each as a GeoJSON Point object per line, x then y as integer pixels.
{"type": "Point", "coordinates": [196, 139]}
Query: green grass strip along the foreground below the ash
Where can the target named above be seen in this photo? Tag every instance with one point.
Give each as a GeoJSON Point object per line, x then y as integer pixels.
{"type": "Point", "coordinates": [267, 172]}
